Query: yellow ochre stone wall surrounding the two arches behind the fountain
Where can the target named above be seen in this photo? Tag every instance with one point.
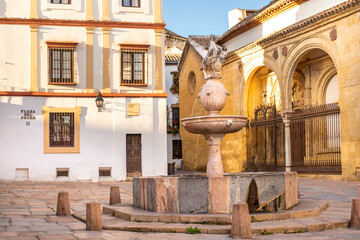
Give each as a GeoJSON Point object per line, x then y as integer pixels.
{"type": "Point", "coordinates": [344, 52]}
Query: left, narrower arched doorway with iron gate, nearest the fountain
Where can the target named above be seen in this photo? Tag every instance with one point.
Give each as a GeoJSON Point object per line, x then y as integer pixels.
{"type": "Point", "coordinates": [265, 132]}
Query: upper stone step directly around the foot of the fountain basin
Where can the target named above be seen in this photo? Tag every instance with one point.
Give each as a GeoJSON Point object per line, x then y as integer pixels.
{"type": "Point", "coordinates": [305, 209]}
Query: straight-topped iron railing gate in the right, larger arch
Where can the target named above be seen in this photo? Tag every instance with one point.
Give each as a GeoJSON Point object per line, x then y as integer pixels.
{"type": "Point", "coordinates": [315, 140]}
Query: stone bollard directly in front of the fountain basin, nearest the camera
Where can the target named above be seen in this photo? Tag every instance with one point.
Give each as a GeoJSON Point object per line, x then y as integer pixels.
{"type": "Point", "coordinates": [240, 224]}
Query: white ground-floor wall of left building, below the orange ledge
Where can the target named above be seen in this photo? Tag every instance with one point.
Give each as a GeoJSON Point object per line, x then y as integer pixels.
{"type": "Point", "coordinates": [102, 138]}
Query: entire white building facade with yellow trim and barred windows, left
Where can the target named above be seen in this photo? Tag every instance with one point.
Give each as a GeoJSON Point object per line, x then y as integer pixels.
{"type": "Point", "coordinates": [56, 55]}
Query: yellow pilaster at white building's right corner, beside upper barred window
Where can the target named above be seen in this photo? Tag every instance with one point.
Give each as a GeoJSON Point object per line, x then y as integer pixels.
{"type": "Point", "coordinates": [159, 61]}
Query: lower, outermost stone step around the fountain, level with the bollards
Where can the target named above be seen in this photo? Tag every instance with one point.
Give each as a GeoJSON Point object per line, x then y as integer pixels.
{"type": "Point", "coordinates": [300, 225]}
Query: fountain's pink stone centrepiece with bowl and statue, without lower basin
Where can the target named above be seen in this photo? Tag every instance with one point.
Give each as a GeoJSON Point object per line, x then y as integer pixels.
{"type": "Point", "coordinates": [213, 97]}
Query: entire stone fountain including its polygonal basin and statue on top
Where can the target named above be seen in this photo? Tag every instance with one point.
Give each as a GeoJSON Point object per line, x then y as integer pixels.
{"type": "Point", "coordinates": [215, 192]}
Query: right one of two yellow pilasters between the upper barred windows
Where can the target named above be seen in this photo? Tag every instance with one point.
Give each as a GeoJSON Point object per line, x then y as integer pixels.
{"type": "Point", "coordinates": [106, 60]}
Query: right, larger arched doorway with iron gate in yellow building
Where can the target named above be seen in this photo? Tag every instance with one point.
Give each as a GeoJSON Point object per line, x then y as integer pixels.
{"type": "Point", "coordinates": [315, 119]}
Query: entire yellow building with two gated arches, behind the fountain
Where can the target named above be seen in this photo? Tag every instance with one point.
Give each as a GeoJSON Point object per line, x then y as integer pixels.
{"type": "Point", "coordinates": [308, 66]}
